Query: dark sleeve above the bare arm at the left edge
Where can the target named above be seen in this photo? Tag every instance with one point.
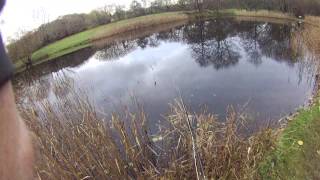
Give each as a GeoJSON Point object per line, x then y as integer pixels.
{"type": "Point", "coordinates": [6, 68]}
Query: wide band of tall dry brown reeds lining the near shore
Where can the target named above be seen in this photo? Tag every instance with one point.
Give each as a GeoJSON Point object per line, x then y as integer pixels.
{"type": "Point", "coordinates": [76, 141]}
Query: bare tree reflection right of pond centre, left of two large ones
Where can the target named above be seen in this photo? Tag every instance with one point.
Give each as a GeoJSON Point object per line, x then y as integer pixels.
{"type": "Point", "coordinates": [211, 44]}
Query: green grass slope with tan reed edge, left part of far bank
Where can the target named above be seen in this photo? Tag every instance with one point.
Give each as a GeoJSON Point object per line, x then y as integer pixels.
{"type": "Point", "coordinates": [84, 39]}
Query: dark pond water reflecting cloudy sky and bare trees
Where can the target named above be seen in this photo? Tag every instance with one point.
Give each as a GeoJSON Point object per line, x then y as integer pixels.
{"type": "Point", "coordinates": [210, 64]}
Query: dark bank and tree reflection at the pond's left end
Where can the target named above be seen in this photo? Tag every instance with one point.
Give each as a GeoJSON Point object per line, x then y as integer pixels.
{"type": "Point", "coordinates": [38, 80]}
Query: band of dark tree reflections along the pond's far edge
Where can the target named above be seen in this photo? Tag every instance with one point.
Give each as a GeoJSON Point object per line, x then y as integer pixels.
{"type": "Point", "coordinates": [216, 42]}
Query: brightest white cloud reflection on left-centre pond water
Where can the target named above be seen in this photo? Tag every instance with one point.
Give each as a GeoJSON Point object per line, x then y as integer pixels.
{"type": "Point", "coordinates": [135, 72]}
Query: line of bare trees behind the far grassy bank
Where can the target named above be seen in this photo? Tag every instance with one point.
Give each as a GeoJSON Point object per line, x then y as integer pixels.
{"type": "Point", "coordinates": [28, 42]}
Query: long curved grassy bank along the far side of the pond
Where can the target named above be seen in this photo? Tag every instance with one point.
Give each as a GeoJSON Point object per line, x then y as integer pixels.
{"type": "Point", "coordinates": [85, 39]}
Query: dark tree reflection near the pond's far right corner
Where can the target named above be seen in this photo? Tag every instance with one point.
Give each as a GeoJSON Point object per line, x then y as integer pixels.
{"type": "Point", "coordinates": [265, 39]}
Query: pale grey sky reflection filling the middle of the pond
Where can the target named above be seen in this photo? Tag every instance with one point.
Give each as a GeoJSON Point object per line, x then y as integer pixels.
{"type": "Point", "coordinates": [156, 75]}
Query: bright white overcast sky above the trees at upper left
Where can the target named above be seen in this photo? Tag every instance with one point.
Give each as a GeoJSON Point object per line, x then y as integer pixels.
{"type": "Point", "coordinates": [29, 14]}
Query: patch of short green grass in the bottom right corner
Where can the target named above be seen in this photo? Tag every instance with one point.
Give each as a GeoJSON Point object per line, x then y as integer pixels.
{"type": "Point", "coordinates": [293, 161]}
